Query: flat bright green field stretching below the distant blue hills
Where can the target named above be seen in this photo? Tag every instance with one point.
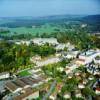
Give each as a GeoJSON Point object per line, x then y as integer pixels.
{"type": "Point", "coordinates": [33, 31]}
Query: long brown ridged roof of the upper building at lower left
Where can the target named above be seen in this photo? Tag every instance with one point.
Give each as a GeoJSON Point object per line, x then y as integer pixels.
{"type": "Point", "coordinates": [22, 82]}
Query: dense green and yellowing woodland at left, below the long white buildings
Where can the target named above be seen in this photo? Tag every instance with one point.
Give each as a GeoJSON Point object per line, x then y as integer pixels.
{"type": "Point", "coordinates": [14, 57]}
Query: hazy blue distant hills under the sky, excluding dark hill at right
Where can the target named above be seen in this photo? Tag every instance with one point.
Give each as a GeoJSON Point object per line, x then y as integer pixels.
{"type": "Point", "coordinates": [29, 21]}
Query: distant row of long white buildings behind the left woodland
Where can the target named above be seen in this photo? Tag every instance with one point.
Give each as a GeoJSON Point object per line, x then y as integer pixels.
{"type": "Point", "coordinates": [43, 41]}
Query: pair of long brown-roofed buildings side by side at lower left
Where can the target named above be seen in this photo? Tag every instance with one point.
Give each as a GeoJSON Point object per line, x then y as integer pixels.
{"type": "Point", "coordinates": [26, 87]}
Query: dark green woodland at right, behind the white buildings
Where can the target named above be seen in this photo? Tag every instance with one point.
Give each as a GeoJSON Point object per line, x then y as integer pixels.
{"type": "Point", "coordinates": [80, 38]}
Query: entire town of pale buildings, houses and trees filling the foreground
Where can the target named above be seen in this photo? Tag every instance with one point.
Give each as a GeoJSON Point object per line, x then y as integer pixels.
{"type": "Point", "coordinates": [81, 73]}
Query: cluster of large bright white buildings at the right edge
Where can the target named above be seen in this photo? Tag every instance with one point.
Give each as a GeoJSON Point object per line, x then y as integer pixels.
{"type": "Point", "coordinates": [89, 60]}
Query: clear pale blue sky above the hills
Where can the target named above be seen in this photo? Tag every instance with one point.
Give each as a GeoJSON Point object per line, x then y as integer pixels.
{"type": "Point", "coordinates": [13, 8]}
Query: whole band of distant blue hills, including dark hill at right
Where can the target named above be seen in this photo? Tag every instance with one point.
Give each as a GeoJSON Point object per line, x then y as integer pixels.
{"type": "Point", "coordinates": [92, 21]}
